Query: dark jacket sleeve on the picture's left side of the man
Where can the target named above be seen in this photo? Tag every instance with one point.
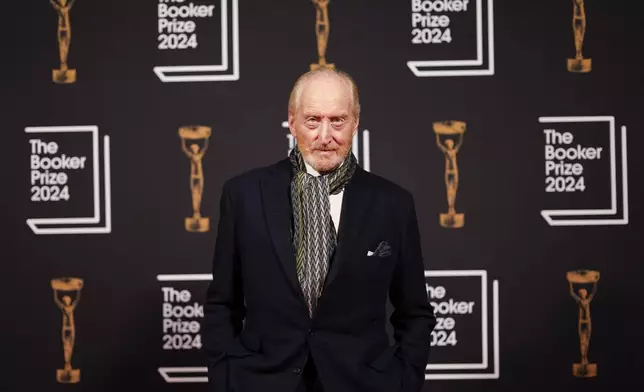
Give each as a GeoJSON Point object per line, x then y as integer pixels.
{"type": "Point", "coordinates": [224, 309]}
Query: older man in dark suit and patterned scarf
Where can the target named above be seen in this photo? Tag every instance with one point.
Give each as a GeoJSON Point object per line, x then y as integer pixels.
{"type": "Point", "coordinates": [307, 251]}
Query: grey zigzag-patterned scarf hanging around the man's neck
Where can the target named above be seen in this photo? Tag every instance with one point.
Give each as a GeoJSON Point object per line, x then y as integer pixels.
{"type": "Point", "coordinates": [314, 236]}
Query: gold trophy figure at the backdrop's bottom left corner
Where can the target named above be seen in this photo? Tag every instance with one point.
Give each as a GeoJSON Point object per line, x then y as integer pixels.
{"type": "Point", "coordinates": [66, 295]}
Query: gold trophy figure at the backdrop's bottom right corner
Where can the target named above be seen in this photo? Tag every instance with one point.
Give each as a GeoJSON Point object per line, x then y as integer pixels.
{"type": "Point", "coordinates": [583, 298]}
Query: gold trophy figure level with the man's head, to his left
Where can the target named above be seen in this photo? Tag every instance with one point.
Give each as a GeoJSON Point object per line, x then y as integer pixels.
{"type": "Point", "coordinates": [189, 137]}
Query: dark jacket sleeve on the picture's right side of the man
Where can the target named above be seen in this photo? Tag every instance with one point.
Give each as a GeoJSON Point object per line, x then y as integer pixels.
{"type": "Point", "coordinates": [413, 317]}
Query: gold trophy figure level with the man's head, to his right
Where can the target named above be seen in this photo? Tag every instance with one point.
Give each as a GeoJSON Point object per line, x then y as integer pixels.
{"type": "Point", "coordinates": [450, 130]}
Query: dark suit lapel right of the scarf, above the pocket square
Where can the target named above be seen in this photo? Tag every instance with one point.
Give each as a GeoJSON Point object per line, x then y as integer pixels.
{"type": "Point", "coordinates": [356, 202]}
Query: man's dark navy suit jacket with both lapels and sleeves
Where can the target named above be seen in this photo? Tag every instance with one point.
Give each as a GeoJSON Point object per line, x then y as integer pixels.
{"type": "Point", "coordinates": [257, 330]}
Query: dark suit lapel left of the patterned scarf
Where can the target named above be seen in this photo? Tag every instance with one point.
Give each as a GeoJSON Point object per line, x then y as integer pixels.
{"type": "Point", "coordinates": [278, 212]}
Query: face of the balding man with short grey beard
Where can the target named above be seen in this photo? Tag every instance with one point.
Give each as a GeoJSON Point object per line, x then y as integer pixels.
{"type": "Point", "coordinates": [323, 123]}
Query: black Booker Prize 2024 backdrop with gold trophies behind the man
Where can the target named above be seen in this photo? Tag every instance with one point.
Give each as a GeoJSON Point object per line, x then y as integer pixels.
{"type": "Point", "coordinates": [515, 125]}
